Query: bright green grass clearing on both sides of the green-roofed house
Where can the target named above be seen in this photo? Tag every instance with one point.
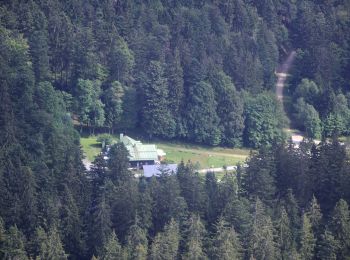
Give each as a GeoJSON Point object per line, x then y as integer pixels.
{"type": "Point", "coordinates": [205, 156]}
